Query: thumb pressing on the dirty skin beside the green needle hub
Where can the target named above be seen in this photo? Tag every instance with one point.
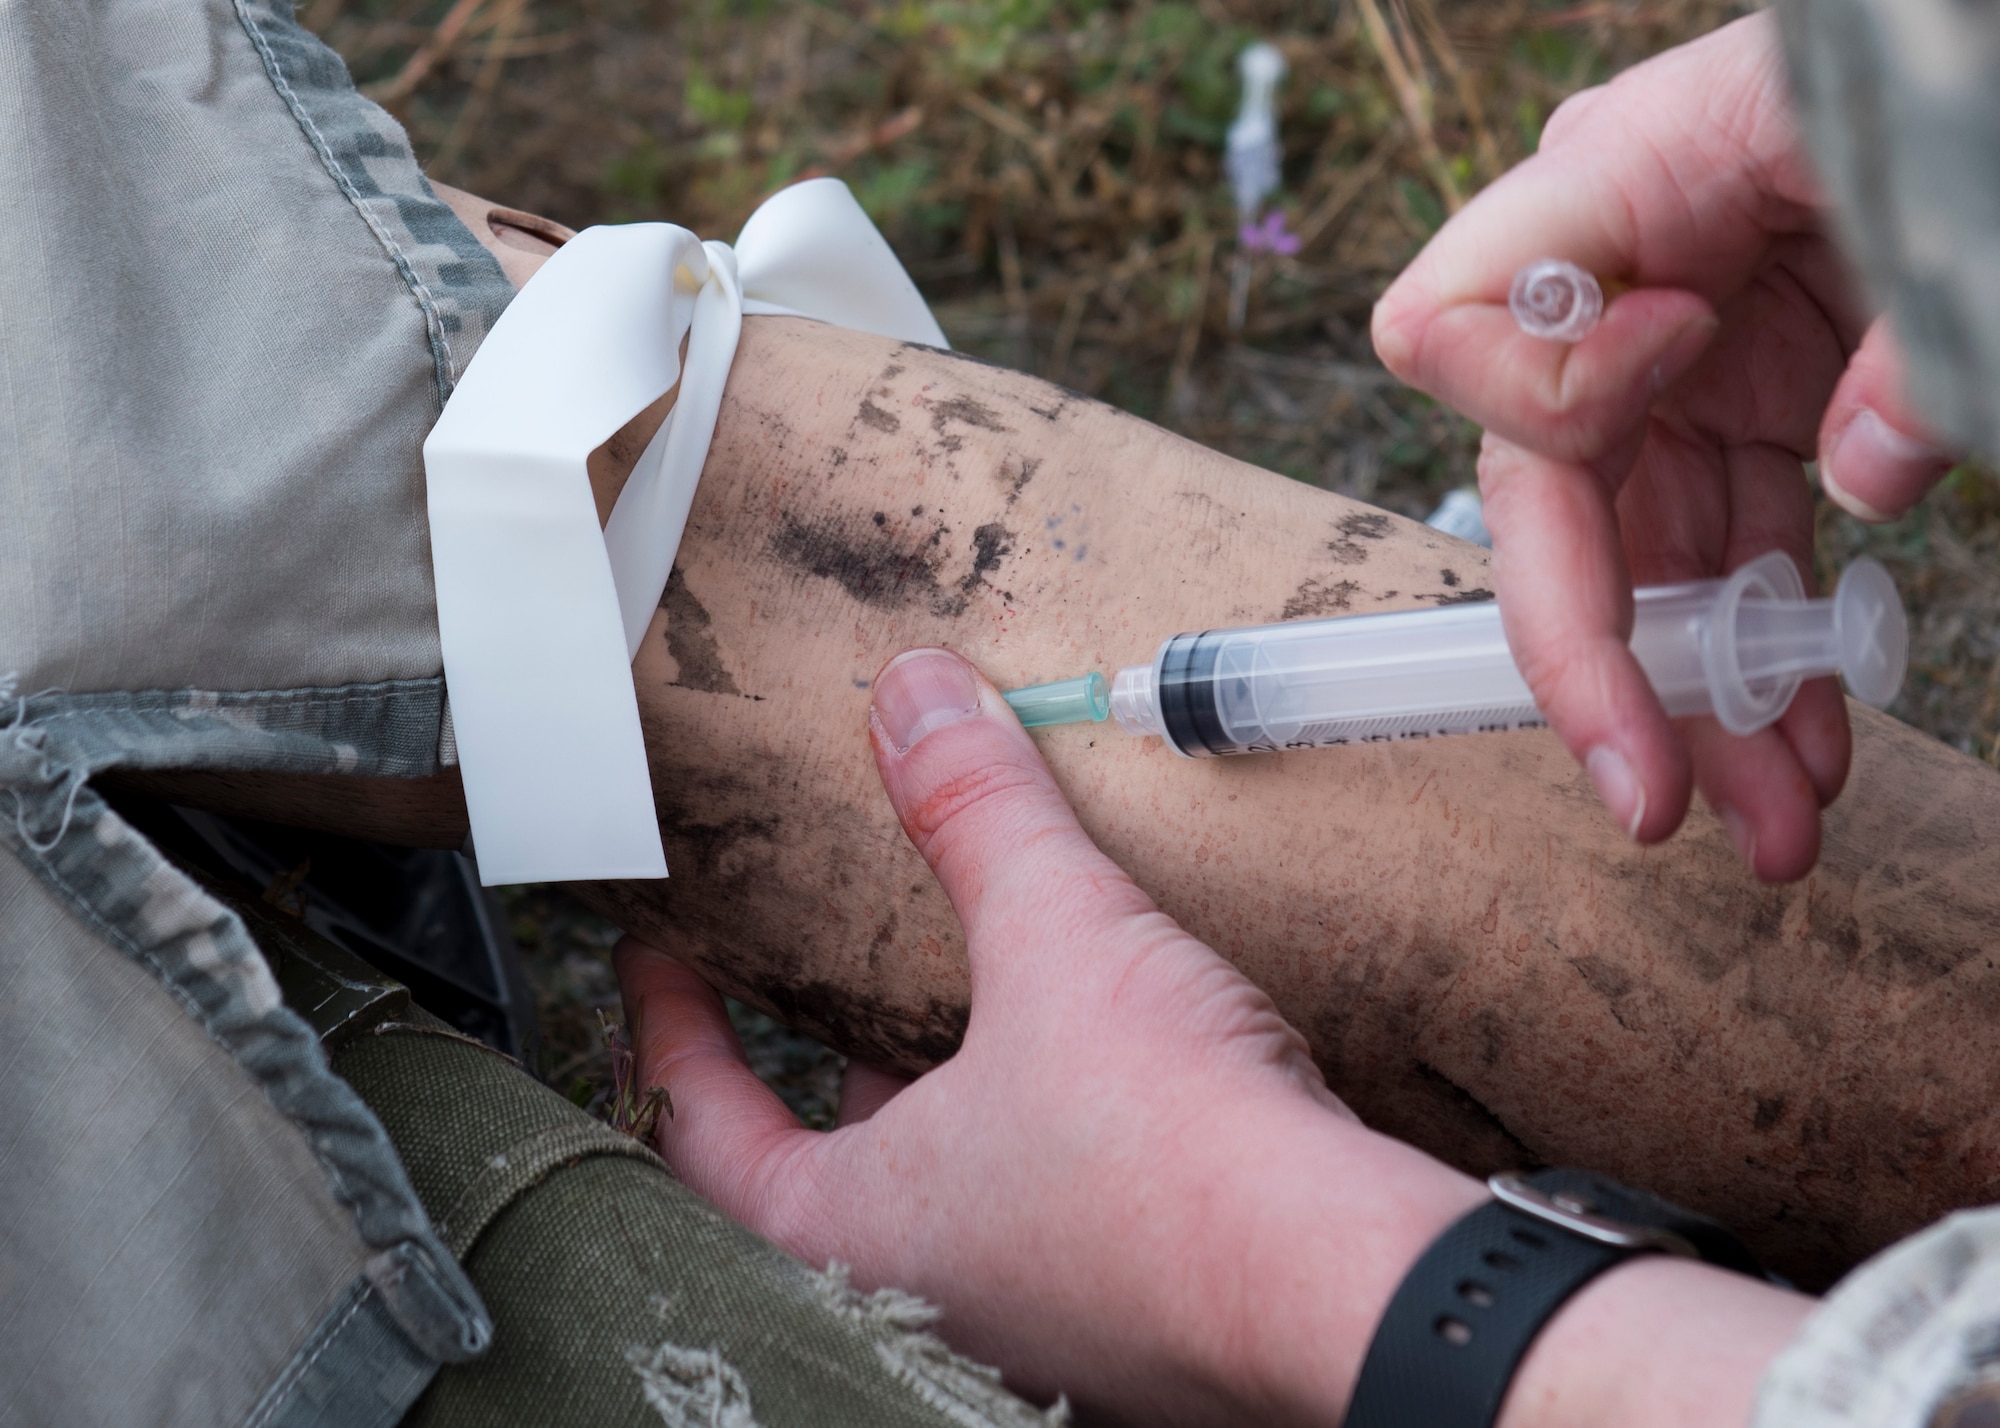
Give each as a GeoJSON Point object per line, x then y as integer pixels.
{"type": "Point", "coordinates": [981, 805]}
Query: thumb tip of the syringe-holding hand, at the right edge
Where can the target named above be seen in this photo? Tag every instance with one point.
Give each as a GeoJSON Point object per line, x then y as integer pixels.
{"type": "Point", "coordinates": [1875, 457]}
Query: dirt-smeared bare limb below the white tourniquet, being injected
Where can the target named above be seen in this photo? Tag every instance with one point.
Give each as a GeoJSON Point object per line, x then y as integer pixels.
{"type": "Point", "coordinates": [1479, 959]}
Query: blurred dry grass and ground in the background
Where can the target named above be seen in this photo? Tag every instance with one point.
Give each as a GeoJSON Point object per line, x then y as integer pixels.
{"type": "Point", "coordinates": [1051, 175]}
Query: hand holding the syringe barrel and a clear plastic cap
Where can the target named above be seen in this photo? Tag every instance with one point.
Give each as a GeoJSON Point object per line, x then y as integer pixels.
{"type": "Point", "coordinates": [1669, 443]}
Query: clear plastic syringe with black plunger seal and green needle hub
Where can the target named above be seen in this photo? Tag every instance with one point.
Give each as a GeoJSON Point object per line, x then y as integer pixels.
{"type": "Point", "coordinates": [1737, 649]}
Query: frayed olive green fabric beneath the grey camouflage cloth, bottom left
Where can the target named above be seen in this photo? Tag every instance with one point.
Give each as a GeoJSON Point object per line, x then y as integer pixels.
{"type": "Point", "coordinates": [619, 1297]}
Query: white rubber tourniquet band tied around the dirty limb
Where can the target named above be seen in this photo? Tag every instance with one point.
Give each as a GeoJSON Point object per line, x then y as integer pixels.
{"type": "Point", "coordinates": [539, 611]}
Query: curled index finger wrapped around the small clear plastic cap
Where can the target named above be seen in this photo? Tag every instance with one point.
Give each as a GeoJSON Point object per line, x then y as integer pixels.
{"type": "Point", "coordinates": [1673, 179]}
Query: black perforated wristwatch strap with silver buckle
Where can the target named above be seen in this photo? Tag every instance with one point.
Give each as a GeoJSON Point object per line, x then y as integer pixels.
{"type": "Point", "coordinates": [1465, 1315]}
